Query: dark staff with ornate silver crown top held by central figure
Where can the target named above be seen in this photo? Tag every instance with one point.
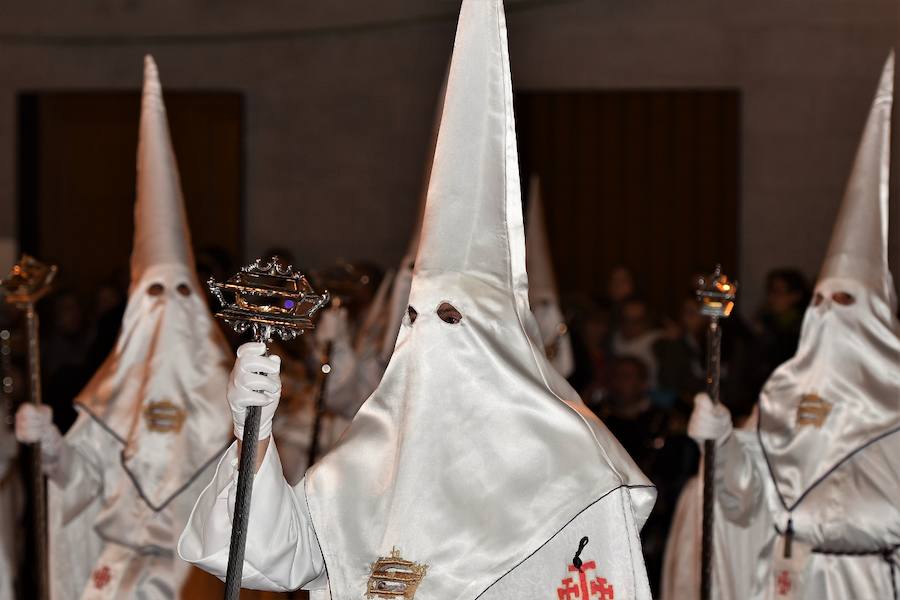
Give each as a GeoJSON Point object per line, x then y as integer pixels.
{"type": "Point", "coordinates": [270, 299]}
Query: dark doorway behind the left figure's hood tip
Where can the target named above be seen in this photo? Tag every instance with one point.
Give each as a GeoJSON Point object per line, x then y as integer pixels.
{"type": "Point", "coordinates": [77, 176]}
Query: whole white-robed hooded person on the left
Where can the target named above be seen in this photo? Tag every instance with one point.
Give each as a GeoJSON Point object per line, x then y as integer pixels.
{"type": "Point", "coordinates": [150, 425]}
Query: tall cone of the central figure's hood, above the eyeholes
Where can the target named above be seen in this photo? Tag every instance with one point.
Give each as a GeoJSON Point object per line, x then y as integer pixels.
{"type": "Point", "coordinates": [476, 161]}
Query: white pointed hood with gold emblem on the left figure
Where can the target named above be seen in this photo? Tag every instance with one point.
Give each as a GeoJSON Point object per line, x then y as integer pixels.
{"type": "Point", "coordinates": [160, 391]}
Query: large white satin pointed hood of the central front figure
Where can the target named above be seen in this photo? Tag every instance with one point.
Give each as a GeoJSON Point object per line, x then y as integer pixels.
{"type": "Point", "coordinates": [473, 452]}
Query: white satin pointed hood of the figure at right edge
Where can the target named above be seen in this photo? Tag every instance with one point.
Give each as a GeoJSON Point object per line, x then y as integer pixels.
{"type": "Point", "coordinates": [841, 391]}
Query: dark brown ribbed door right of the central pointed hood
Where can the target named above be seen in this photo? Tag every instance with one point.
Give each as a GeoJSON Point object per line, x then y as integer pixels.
{"type": "Point", "coordinates": [645, 179]}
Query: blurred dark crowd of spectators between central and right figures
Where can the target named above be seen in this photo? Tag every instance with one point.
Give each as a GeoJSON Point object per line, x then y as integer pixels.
{"type": "Point", "coordinates": [639, 366]}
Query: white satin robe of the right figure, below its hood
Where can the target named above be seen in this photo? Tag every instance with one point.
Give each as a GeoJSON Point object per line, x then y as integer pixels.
{"type": "Point", "coordinates": [852, 520]}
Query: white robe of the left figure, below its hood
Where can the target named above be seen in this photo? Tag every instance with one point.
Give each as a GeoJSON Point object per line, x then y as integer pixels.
{"type": "Point", "coordinates": [97, 552]}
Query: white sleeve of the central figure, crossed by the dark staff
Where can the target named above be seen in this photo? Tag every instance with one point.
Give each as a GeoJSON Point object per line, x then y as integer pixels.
{"type": "Point", "coordinates": [282, 552]}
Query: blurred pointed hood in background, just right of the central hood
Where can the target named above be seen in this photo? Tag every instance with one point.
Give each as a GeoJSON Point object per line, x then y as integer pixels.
{"type": "Point", "coordinates": [542, 291]}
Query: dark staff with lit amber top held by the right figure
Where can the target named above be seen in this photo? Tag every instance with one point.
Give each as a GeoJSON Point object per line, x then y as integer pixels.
{"type": "Point", "coordinates": [716, 295]}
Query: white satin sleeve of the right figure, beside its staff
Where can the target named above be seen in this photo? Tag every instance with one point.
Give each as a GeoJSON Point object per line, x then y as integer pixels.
{"type": "Point", "coordinates": [739, 485]}
